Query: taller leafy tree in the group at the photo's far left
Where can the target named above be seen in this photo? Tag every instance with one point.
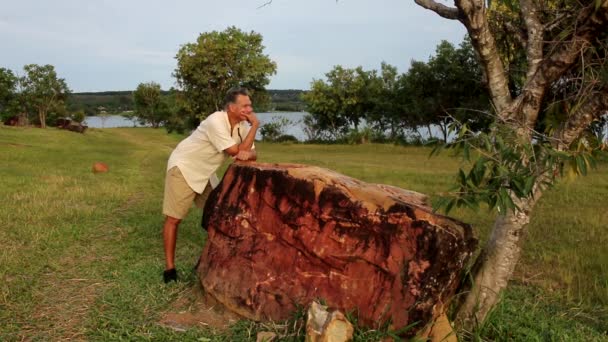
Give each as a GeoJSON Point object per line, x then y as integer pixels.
{"type": "Point", "coordinates": [43, 91]}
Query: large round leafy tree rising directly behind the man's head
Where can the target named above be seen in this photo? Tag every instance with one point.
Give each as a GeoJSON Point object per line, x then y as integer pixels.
{"type": "Point", "coordinates": [218, 61]}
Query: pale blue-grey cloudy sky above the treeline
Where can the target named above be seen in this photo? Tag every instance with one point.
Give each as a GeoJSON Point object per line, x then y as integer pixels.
{"type": "Point", "coordinates": [107, 45]}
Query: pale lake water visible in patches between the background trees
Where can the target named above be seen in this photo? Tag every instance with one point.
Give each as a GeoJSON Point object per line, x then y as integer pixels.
{"type": "Point", "coordinates": [295, 127]}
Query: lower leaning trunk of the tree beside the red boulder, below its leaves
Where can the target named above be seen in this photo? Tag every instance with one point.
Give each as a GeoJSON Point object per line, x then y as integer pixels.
{"type": "Point", "coordinates": [495, 265]}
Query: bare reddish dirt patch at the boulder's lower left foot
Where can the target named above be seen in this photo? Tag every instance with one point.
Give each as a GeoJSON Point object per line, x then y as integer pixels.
{"type": "Point", "coordinates": [197, 309]}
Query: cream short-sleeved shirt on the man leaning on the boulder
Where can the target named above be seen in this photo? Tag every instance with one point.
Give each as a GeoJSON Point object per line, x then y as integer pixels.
{"type": "Point", "coordinates": [202, 153]}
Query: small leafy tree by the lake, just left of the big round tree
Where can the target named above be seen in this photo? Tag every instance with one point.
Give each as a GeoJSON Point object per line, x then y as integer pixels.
{"type": "Point", "coordinates": [149, 105]}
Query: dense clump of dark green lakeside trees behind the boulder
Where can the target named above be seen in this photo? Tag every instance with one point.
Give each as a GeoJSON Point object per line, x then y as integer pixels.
{"type": "Point", "coordinates": [446, 88]}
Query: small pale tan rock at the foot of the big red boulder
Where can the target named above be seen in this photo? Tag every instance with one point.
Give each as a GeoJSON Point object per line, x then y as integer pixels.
{"type": "Point", "coordinates": [324, 326]}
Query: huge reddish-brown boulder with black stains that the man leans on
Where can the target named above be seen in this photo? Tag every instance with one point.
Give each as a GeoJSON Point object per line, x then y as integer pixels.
{"type": "Point", "coordinates": [283, 235]}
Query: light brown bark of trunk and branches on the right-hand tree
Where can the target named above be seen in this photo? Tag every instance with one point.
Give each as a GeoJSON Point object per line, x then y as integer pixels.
{"type": "Point", "coordinates": [496, 263]}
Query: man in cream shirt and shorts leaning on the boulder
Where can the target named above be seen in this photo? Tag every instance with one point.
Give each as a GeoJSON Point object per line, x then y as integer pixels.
{"type": "Point", "coordinates": [195, 160]}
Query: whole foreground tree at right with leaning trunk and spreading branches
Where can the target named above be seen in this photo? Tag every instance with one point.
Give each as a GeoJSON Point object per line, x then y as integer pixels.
{"type": "Point", "coordinates": [561, 45]}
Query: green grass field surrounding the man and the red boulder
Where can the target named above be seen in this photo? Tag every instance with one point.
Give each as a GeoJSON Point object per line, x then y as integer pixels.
{"type": "Point", "coordinates": [82, 258]}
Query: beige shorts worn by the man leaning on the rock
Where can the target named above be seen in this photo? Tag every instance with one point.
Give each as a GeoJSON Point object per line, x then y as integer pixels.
{"type": "Point", "coordinates": [179, 196]}
